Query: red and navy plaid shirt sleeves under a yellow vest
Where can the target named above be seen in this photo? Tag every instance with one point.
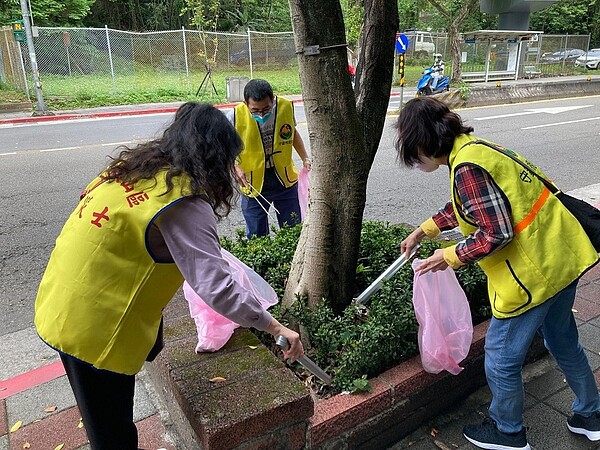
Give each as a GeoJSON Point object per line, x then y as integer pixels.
{"type": "Point", "coordinates": [484, 204]}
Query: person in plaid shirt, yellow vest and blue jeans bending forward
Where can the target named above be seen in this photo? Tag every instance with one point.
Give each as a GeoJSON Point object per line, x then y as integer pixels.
{"type": "Point", "coordinates": [532, 249]}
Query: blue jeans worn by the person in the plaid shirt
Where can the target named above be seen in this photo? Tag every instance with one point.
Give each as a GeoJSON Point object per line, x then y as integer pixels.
{"type": "Point", "coordinates": [506, 345]}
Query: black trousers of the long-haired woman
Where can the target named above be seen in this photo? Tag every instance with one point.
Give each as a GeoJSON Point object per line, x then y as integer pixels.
{"type": "Point", "coordinates": [105, 401]}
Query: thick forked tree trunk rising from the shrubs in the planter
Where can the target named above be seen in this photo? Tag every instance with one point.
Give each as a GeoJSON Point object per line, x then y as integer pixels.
{"type": "Point", "coordinates": [344, 133]}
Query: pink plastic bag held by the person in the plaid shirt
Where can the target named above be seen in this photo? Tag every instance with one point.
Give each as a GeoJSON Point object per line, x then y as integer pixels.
{"type": "Point", "coordinates": [444, 316]}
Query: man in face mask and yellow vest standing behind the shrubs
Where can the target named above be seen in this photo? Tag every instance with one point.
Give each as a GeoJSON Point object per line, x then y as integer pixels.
{"type": "Point", "coordinates": [265, 169]}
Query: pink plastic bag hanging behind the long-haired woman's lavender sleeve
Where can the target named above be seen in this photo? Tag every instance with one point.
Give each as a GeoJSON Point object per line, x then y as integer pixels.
{"type": "Point", "coordinates": [214, 330]}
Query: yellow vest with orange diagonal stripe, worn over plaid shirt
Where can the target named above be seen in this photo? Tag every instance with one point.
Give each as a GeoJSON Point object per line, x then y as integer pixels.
{"type": "Point", "coordinates": [549, 251]}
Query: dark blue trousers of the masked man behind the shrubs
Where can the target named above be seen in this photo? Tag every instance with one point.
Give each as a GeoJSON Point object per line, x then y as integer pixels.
{"type": "Point", "coordinates": [284, 199]}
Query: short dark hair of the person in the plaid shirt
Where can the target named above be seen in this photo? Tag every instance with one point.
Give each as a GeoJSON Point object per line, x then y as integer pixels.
{"type": "Point", "coordinates": [426, 124]}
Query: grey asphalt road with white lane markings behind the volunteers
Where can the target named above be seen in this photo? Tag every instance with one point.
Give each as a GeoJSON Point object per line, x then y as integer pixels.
{"type": "Point", "coordinates": [44, 167]}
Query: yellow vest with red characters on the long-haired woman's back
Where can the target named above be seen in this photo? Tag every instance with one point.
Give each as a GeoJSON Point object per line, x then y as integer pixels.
{"type": "Point", "coordinates": [102, 294]}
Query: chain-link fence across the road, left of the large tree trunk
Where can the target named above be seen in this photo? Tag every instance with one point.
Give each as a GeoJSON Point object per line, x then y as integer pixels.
{"type": "Point", "coordinates": [102, 60]}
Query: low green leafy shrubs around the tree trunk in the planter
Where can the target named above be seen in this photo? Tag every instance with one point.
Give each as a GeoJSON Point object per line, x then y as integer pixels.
{"type": "Point", "coordinates": [349, 346]}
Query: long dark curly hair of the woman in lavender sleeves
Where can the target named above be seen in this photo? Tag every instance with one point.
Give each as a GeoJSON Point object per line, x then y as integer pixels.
{"type": "Point", "coordinates": [200, 142]}
